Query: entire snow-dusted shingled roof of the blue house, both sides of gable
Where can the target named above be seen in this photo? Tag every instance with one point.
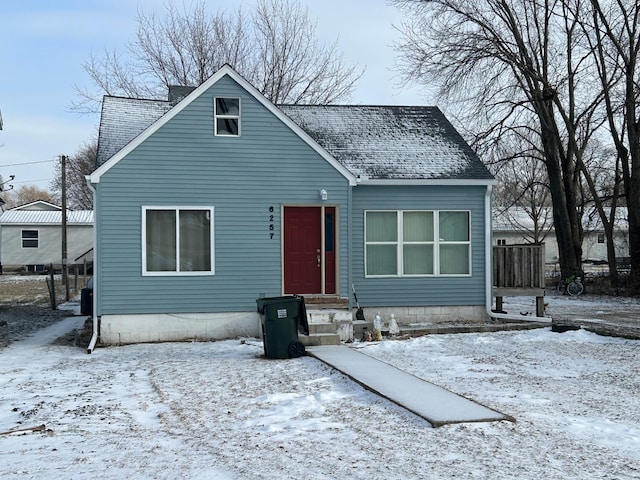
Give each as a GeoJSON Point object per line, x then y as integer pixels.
{"type": "Point", "coordinates": [373, 142]}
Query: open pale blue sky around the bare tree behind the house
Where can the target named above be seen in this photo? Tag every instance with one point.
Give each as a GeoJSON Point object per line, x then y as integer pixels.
{"type": "Point", "coordinates": [44, 43]}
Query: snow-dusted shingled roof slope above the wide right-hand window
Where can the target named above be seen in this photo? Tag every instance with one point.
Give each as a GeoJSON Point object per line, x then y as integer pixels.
{"type": "Point", "coordinates": [390, 142]}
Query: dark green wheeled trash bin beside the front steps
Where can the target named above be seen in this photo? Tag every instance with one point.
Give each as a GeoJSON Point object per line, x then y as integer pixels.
{"type": "Point", "coordinates": [281, 319]}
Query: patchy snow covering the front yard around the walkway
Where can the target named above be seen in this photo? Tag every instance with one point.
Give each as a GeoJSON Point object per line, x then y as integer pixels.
{"type": "Point", "coordinates": [220, 410]}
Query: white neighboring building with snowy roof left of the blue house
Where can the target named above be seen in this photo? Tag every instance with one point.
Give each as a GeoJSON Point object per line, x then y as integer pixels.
{"type": "Point", "coordinates": [32, 236]}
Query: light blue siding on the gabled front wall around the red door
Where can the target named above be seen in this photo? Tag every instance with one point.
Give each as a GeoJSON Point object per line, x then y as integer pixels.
{"type": "Point", "coordinates": [184, 164]}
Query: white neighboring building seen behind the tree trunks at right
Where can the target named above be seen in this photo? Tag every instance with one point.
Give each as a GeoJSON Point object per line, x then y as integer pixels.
{"type": "Point", "coordinates": [514, 226]}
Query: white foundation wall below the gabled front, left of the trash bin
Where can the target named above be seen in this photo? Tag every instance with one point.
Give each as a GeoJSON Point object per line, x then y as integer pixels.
{"type": "Point", "coordinates": [124, 329]}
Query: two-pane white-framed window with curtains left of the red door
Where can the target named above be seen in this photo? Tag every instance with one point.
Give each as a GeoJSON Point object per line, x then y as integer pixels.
{"type": "Point", "coordinates": [177, 241]}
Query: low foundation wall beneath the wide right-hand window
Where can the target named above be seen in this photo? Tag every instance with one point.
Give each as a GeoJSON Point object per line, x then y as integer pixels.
{"type": "Point", "coordinates": [439, 314]}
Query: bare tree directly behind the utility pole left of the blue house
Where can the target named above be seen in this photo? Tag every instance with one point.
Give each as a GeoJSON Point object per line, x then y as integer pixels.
{"type": "Point", "coordinates": [82, 163]}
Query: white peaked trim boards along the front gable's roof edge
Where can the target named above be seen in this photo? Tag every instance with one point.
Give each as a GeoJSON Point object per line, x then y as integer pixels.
{"type": "Point", "coordinates": [226, 70]}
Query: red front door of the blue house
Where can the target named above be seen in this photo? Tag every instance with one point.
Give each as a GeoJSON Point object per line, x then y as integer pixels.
{"type": "Point", "coordinates": [302, 250]}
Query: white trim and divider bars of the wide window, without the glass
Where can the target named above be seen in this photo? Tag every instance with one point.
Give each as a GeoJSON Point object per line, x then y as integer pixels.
{"type": "Point", "coordinates": [436, 245]}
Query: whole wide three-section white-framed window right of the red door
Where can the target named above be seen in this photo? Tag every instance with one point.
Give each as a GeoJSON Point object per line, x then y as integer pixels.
{"type": "Point", "coordinates": [417, 243]}
